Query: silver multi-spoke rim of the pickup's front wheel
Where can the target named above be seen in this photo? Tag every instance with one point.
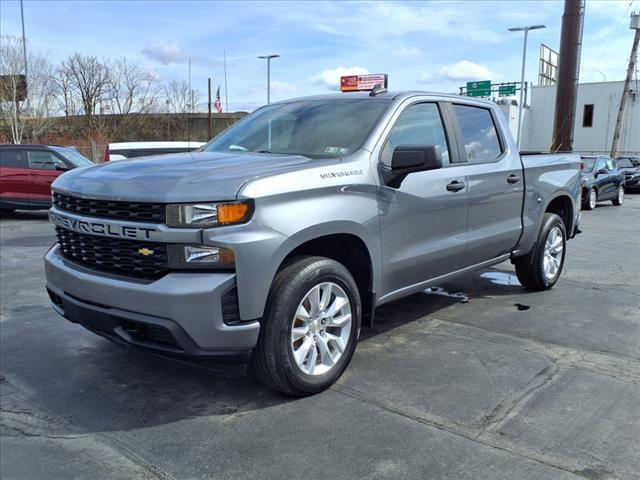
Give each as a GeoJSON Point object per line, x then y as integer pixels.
{"type": "Point", "coordinates": [321, 328]}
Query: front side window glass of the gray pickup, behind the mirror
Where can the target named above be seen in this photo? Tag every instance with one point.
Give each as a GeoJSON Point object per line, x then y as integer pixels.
{"type": "Point", "coordinates": [420, 124]}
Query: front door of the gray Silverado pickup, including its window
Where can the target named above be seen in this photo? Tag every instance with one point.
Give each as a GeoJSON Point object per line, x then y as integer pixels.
{"type": "Point", "coordinates": [423, 221]}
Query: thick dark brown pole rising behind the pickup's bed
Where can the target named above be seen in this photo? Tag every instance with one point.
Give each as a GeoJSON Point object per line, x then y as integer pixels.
{"type": "Point", "coordinates": [568, 72]}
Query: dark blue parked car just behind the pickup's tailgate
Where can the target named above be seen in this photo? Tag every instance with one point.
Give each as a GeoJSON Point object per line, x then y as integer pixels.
{"type": "Point", "coordinates": [601, 181]}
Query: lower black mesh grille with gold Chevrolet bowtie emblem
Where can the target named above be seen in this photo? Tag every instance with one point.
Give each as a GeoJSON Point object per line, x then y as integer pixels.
{"type": "Point", "coordinates": [112, 255]}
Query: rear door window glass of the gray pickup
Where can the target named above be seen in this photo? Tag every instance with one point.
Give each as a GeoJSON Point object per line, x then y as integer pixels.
{"type": "Point", "coordinates": [479, 133]}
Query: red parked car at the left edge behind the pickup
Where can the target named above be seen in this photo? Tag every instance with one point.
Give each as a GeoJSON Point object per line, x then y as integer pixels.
{"type": "Point", "coordinates": [27, 172]}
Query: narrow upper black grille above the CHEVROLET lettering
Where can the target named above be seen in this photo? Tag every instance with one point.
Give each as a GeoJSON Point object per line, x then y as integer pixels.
{"type": "Point", "coordinates": [134, 211]}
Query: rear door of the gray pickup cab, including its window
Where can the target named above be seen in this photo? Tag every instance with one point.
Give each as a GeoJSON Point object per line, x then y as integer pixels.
{"type": "Point", "coordinates": [495, 182]}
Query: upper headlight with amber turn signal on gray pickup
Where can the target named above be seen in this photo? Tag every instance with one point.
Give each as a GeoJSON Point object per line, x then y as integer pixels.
{"type": "Point", "coordinates": [203, 215]}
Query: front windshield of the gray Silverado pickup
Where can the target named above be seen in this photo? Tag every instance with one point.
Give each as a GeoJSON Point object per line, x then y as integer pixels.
{"type": "Point", "coordinates": [313, 128]}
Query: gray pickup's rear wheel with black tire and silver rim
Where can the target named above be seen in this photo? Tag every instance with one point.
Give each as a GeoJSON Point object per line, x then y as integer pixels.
{"type": "Point", "coordinates": [540, 269]}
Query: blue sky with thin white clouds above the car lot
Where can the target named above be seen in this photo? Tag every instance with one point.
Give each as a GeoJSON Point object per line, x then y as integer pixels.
{"type": "Point", "coordinates": [435, 46]}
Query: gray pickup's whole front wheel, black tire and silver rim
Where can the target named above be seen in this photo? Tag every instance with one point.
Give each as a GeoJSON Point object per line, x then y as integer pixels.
{"type": "Point", "coordinates": [278, 360]}
